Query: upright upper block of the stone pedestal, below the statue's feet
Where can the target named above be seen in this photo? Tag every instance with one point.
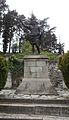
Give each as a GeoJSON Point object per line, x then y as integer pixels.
{"type": "Point", "coordinates": [36, 67]}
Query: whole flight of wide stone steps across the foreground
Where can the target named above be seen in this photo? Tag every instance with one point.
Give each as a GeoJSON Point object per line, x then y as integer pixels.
{"type": "Point", "coordinates": [34, 109]}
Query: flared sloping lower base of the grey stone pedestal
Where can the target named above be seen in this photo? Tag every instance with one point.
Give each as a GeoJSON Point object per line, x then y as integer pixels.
{"type": "Point", "coordinates": [36, 86]}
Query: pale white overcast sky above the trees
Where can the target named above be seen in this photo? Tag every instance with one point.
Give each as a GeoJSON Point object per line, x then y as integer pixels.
{"type": "Point", "coordinates": [57, 10]}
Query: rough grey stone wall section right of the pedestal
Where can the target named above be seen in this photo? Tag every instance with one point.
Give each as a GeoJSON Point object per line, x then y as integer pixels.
{"type": "Point", "coordinates": [55, 75]}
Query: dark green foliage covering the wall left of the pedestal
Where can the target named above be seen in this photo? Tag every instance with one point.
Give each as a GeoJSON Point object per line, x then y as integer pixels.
{"type": "Point", "coordinates": [16, 67]}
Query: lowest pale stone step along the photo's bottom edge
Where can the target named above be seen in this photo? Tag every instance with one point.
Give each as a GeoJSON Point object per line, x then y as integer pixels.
{"type": "Point", "coordinates": [4, 116]}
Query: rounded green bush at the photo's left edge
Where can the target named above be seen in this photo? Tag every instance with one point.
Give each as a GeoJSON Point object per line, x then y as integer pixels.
{"type": "Point", "coordinates": [3, 71]}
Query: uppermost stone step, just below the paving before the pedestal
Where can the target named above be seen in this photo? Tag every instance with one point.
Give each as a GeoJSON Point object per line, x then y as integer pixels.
{"type": "Point", "coordinates": [34, 101]}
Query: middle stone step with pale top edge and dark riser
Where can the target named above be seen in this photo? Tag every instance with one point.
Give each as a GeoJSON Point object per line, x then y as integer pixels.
{"type": "Point", "coordinates": [35, 109]}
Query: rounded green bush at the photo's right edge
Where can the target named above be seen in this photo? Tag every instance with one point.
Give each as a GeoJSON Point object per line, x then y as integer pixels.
{"type": "Point", "coordinates": [64, 67]}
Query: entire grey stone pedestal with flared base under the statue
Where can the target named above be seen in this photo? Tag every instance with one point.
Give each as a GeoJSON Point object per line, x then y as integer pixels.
{"type": "Point", "coordinates": [36, 79]}
